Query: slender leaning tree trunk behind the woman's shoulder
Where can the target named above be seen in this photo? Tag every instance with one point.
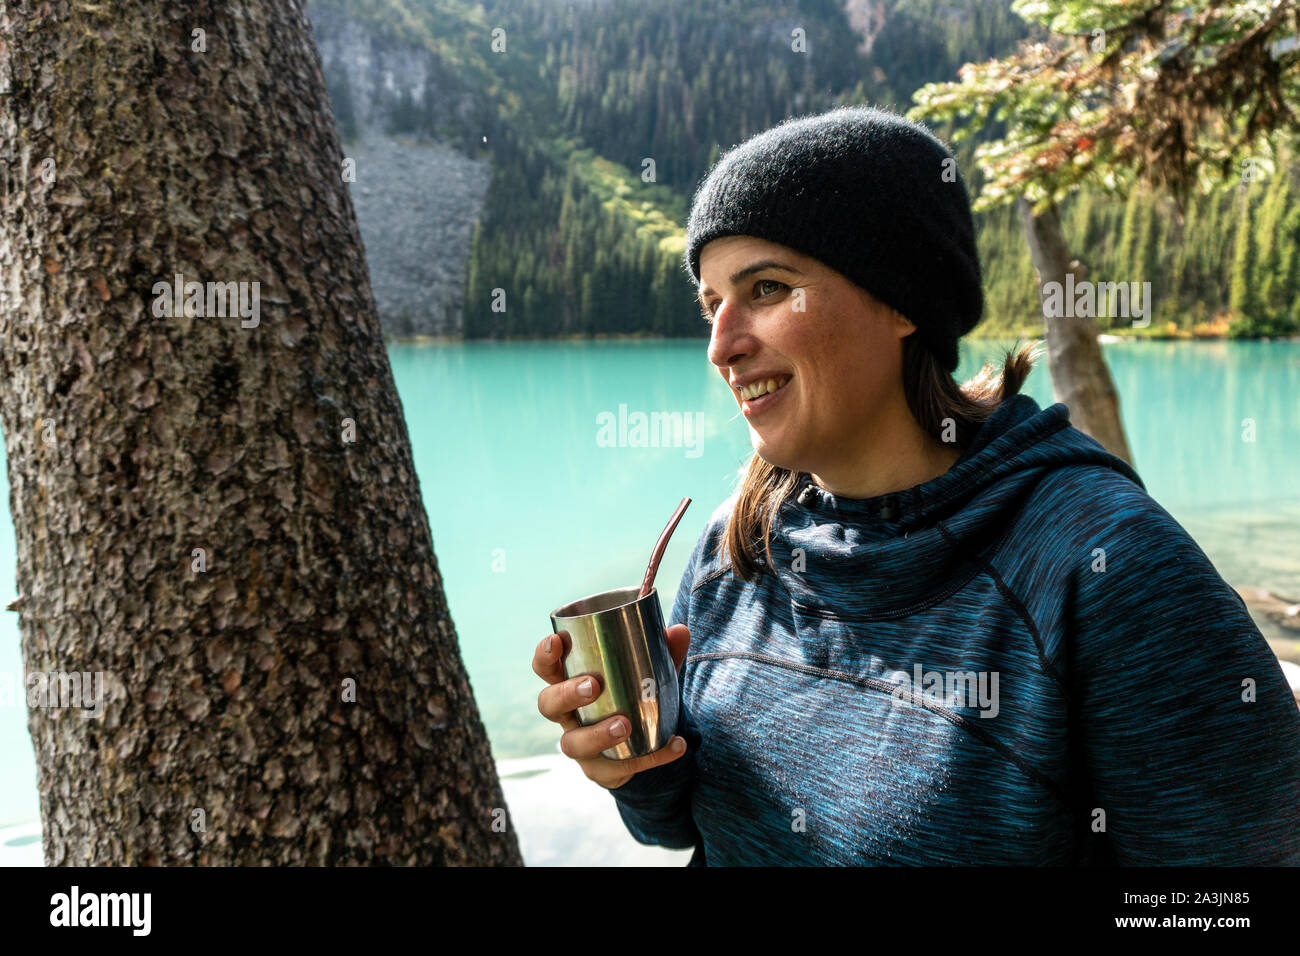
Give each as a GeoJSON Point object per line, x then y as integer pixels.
{"type": "Point", "coordinates": [1080, 374]}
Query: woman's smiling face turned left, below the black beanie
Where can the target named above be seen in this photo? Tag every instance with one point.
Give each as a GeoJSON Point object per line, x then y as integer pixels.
{"type": "Point", "coordinates": [779, 315]}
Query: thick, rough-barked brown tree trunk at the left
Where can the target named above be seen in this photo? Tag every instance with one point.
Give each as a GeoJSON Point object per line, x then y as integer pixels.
{"type": "Point", "coordinates": [219, 513]}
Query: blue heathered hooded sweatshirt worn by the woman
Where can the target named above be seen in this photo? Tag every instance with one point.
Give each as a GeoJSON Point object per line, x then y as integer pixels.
{"type": "Point", "coordinates": [1025, 661]}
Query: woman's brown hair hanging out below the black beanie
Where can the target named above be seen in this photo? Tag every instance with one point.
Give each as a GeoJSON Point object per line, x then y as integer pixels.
{"type": "Point", "coordinates": [933, 396]}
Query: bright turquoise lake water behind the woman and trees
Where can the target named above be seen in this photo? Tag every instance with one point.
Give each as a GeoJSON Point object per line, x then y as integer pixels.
{"type": "Point", "coordinates": [531, 508]}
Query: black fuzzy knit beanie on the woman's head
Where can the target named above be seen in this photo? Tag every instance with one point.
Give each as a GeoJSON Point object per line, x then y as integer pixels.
{"type": "Point", "coordinates": [869, 194]}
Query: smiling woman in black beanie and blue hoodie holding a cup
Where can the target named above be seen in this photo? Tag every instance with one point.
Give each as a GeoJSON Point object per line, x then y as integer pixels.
{"type": "Point", "coordinates": [935, 625]}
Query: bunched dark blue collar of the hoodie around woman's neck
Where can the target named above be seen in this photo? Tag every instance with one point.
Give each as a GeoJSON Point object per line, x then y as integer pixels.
{"type": "Point", "coordinates": [898, 552]}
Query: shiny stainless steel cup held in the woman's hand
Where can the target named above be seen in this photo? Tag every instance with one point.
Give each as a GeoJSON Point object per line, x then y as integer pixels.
{"type": "Point", "coordinates": [622, 642]}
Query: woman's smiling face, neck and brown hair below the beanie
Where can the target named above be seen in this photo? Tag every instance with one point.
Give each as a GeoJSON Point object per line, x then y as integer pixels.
{"type": "Point", "coordinates": [814, 361]}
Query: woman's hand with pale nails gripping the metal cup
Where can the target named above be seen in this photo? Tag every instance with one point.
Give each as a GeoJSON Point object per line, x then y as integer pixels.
{"type": "Point", "coordinates": [561, 698]}
